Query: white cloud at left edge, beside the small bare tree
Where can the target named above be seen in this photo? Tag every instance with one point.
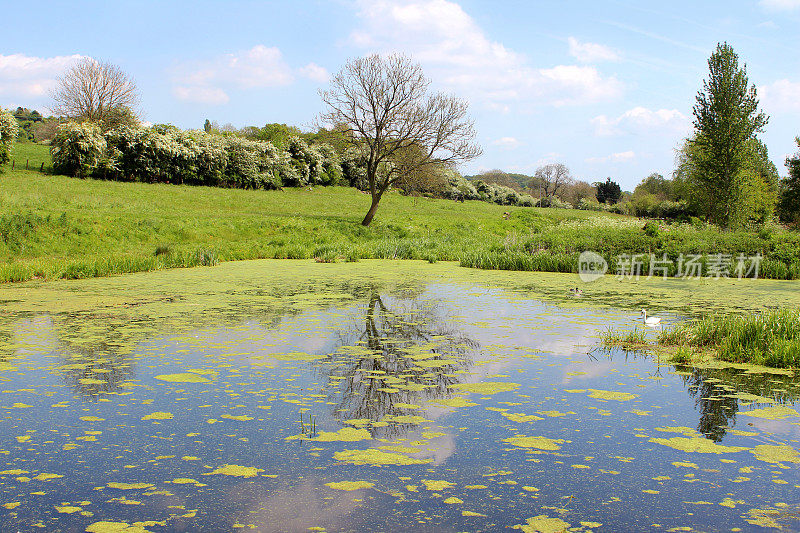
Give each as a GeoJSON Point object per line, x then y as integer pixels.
{"type": "Point", "coordinates": [24, 78]}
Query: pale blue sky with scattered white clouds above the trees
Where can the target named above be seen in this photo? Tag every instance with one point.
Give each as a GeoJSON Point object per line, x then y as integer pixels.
{"type": "Point", "coordinates": [605, 87]}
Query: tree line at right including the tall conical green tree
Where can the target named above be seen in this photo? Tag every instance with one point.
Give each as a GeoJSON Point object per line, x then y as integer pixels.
{"type": "Point", "coordinates": [722, 175]}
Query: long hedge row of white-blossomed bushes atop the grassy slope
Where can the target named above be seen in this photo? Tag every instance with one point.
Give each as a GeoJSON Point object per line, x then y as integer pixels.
{"type": "Point", "coordinates": [166, 154]}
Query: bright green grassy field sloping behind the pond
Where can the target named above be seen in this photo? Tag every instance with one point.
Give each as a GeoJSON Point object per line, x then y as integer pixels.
{"type": "Point", "coordinates": [59, 227]}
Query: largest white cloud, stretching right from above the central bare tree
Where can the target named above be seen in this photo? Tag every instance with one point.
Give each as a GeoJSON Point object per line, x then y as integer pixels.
{"type": "Point", "coordinates": [456, 53]}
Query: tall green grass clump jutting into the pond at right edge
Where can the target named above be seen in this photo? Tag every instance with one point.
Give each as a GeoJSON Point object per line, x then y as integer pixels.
{"type": "Point", "coordinates": [770, 338]}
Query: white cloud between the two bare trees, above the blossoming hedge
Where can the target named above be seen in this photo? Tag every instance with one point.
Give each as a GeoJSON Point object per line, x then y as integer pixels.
{"type": "Point", "coordinates": [206, 81]}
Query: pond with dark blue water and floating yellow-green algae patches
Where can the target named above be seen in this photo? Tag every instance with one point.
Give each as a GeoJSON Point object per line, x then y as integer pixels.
{"type": "Point", "coordinates": [278, 396]}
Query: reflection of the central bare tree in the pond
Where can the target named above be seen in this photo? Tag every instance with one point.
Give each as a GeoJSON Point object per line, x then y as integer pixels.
{"type": "Point", "coordinates": [401, 351]}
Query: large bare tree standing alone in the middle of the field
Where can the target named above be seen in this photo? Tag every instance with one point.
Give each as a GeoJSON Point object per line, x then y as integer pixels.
{"type": "Point", "coordinates": [383, 106]}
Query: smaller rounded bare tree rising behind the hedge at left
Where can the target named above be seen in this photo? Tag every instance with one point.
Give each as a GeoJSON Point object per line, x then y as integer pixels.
{"type": "Point", "coordinates": [96, 92]}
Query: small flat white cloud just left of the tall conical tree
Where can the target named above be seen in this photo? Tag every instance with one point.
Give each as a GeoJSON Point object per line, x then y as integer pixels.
{"type": "Point", "coordinates": [640, 120]}
